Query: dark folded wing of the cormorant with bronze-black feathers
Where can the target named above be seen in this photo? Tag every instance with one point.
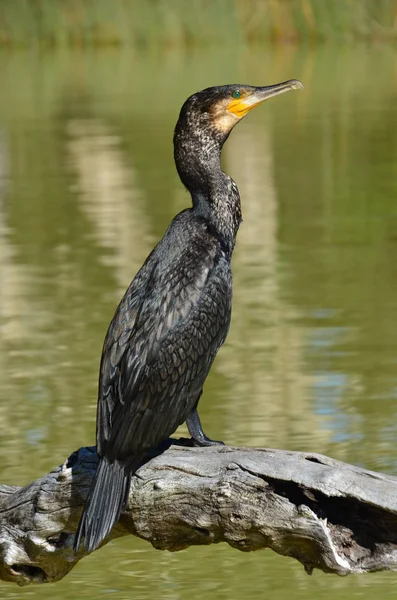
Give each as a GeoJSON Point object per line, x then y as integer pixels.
{"type": "Point", "coordinates": [151, 352]}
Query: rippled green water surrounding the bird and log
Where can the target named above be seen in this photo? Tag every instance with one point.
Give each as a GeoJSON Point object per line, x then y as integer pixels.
{"type": "Point", "coordinates": [87, 186]}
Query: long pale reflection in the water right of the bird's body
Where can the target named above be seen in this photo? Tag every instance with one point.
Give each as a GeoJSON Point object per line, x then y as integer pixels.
{"type": "Point", "coordinates": [270, 401]}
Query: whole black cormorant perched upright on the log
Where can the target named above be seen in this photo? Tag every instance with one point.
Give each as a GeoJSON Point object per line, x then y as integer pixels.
{"type": "Point", "coordinates": [175, 314]}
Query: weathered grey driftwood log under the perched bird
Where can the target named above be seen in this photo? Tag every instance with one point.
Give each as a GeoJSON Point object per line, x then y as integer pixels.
{"type": "Point", "coordinates": [326, 514]}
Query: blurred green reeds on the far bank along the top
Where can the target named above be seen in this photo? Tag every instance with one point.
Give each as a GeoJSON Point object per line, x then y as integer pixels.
{"type": "Point", "coordinates": [138, 22]}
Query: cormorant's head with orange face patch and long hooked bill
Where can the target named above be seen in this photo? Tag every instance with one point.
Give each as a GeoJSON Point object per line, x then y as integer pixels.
{"type": "Point", "coordinates": [216, 110]}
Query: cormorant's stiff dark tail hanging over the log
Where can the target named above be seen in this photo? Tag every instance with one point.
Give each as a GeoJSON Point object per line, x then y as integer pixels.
{"type": "Point", "coordinates": [106, 499]}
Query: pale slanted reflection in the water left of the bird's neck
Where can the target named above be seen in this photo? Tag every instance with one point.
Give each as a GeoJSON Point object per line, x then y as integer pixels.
{"type": "Point", "coordinates": [105, 187]}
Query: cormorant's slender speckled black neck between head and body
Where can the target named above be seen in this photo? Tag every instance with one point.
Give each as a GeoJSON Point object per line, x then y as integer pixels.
{"type": "Point", "coordinates": [214, 194]}
